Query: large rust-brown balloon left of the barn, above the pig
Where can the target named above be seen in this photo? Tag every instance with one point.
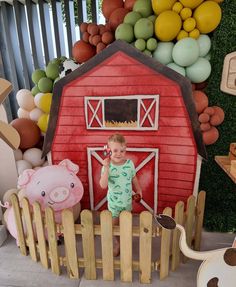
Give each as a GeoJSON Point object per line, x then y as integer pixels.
{"type": "Point", "coordinates": [29, 132]}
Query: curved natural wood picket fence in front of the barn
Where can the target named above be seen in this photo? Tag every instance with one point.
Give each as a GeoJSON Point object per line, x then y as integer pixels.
{"type": "Point", "coordinates": [46, 249]}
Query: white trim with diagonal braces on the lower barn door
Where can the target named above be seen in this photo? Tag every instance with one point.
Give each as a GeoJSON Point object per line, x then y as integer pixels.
{"type": "Point", "coordinates": [92, 151]}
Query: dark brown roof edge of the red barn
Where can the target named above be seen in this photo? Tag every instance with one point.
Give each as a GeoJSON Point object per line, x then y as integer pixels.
{"type": "Point", "coordinates": [121, 46]}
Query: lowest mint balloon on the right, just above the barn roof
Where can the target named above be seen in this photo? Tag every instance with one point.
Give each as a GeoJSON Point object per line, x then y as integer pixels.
{"type": "Point", "coordinates": [199, 71]}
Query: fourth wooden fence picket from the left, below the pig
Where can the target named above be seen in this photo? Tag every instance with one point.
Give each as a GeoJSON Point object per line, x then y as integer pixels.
{"type": "Point", "coordinates": [52, 240]}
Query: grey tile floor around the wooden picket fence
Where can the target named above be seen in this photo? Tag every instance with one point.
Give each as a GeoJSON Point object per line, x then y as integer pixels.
{"type": "Point", "coordinates": [17, 270]}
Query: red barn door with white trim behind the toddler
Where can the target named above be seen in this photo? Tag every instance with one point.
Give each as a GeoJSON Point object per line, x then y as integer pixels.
{"type": "Point", "coordinates": [146, 164]}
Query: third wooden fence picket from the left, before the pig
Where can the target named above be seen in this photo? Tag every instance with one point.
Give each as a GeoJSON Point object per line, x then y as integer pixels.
{"type": "Point", "coordinates": [38, 220]}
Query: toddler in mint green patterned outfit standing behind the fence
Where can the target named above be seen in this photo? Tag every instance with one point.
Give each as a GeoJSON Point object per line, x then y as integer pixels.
{"type": "Point", "coordinates": [118, 174]}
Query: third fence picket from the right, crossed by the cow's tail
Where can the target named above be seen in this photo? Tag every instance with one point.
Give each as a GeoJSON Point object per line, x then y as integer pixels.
{"type": "Point", "coordinates": [179, 218]}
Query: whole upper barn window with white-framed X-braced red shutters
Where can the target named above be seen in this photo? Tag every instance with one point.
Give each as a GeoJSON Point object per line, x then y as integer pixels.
{"type": "Point", "coordinates": [124, 112]}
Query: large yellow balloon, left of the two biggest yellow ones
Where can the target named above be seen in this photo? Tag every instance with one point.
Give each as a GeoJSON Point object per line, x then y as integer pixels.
{"type": "Point", "coordinates": [167, 25]}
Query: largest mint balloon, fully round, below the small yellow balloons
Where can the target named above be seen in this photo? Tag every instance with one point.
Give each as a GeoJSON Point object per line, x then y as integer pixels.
{"type": "Point", "coordinates": [185, 52]}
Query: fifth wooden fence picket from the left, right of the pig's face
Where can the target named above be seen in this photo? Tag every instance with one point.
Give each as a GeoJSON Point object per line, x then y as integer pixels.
{"type": "Point", "coordinates": [70, 243]}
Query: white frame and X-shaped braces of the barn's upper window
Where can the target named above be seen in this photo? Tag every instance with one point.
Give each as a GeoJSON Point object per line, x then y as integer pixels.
{"type": "Point", "coordinates": [139, 98]}
